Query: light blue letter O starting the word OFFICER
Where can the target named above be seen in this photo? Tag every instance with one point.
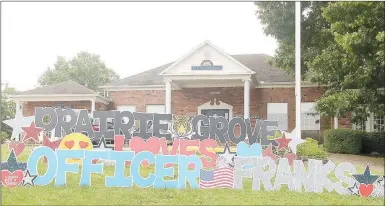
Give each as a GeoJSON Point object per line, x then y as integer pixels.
{"type": "Point", "coordinates": [52, 164]}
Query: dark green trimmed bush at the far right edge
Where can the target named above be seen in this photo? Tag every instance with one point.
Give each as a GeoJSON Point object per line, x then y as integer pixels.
{"type": "Point", "coordinates": [374, 142]}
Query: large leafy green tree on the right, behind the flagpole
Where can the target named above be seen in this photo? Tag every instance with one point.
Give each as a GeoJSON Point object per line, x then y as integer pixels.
{"type": "Point", "coordinates": [342, 46]}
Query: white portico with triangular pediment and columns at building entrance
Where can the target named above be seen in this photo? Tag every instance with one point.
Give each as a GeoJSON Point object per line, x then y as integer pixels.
{"type": "Point", "coordinates": [207, 67]}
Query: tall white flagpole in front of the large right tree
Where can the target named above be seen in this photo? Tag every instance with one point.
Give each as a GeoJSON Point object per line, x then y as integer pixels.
{"type": "Point", "coordinates": [298, 69]}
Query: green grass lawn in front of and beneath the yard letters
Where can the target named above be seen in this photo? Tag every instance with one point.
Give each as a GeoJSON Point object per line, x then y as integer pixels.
{"type": "Point", "coordinates": [98, 194]}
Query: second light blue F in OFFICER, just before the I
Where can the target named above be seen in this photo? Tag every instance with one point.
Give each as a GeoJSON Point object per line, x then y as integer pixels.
{"type": "Point", "coordinates": [88, 167]}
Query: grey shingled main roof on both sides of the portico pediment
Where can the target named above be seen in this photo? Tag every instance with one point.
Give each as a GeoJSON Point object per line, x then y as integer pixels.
{"type": "Point", "coordinates": [255, 62]}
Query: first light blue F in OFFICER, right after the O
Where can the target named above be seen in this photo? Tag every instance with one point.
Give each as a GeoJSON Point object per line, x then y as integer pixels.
{"type": "Point", "coordinates": [63, 167]}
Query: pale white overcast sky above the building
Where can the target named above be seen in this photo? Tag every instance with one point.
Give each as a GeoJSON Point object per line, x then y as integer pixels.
{"type": "Point", "coordinates": [130, 37]}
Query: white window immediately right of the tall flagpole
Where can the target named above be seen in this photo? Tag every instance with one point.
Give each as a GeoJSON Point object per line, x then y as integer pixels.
{"type": "Point", "coordinates": [306, 119]}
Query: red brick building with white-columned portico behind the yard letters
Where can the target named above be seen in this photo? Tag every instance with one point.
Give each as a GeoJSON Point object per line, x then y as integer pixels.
{"type": "Point", "coordinates": [205, 81]}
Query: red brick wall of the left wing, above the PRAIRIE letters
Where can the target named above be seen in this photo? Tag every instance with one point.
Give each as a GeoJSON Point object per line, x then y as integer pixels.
{"type": "Point", "coordinates": [29, 107]}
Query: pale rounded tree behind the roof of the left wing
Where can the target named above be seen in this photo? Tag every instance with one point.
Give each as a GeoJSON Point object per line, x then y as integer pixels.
{"type": "Point", "coordinates": [85, 68]}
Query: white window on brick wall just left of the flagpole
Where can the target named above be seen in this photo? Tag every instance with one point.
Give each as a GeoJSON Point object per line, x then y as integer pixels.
{"type": "Point", "coordinates": [278, 112]}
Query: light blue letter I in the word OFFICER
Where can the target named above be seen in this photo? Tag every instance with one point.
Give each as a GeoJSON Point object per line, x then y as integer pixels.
{"type": "Point", "coordinates": [118, 180]}
